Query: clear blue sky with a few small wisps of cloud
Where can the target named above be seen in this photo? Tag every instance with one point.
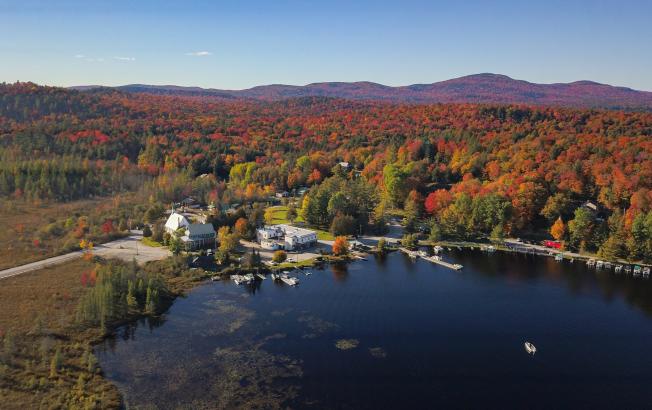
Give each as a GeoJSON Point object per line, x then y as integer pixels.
{"type": "Point", "coordinates": [240, 44]}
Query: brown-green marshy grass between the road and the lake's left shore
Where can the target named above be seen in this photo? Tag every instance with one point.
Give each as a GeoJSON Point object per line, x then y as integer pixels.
{"type": "Point", "coordinates": [36, 323]}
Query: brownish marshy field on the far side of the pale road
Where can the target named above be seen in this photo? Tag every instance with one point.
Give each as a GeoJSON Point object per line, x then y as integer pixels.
{"type": "Point", "coordinates": [34, 232]}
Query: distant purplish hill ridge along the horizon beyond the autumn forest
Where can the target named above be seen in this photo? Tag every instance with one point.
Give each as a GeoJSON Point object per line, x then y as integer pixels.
{"type": "Point", "coordinates": [479, 88]}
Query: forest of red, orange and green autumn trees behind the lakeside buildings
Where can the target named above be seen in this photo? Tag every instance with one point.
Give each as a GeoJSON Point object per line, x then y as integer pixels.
{"type": "Point", "coordinates": [464, 170]}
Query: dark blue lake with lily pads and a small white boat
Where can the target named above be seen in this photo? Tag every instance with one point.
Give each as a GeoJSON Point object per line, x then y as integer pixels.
{"type": "Point", "coordinates": [396, 333]}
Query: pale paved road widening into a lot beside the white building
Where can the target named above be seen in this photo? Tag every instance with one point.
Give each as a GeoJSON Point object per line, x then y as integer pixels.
{"type": "Point", "coordinates": [126, 248]}
